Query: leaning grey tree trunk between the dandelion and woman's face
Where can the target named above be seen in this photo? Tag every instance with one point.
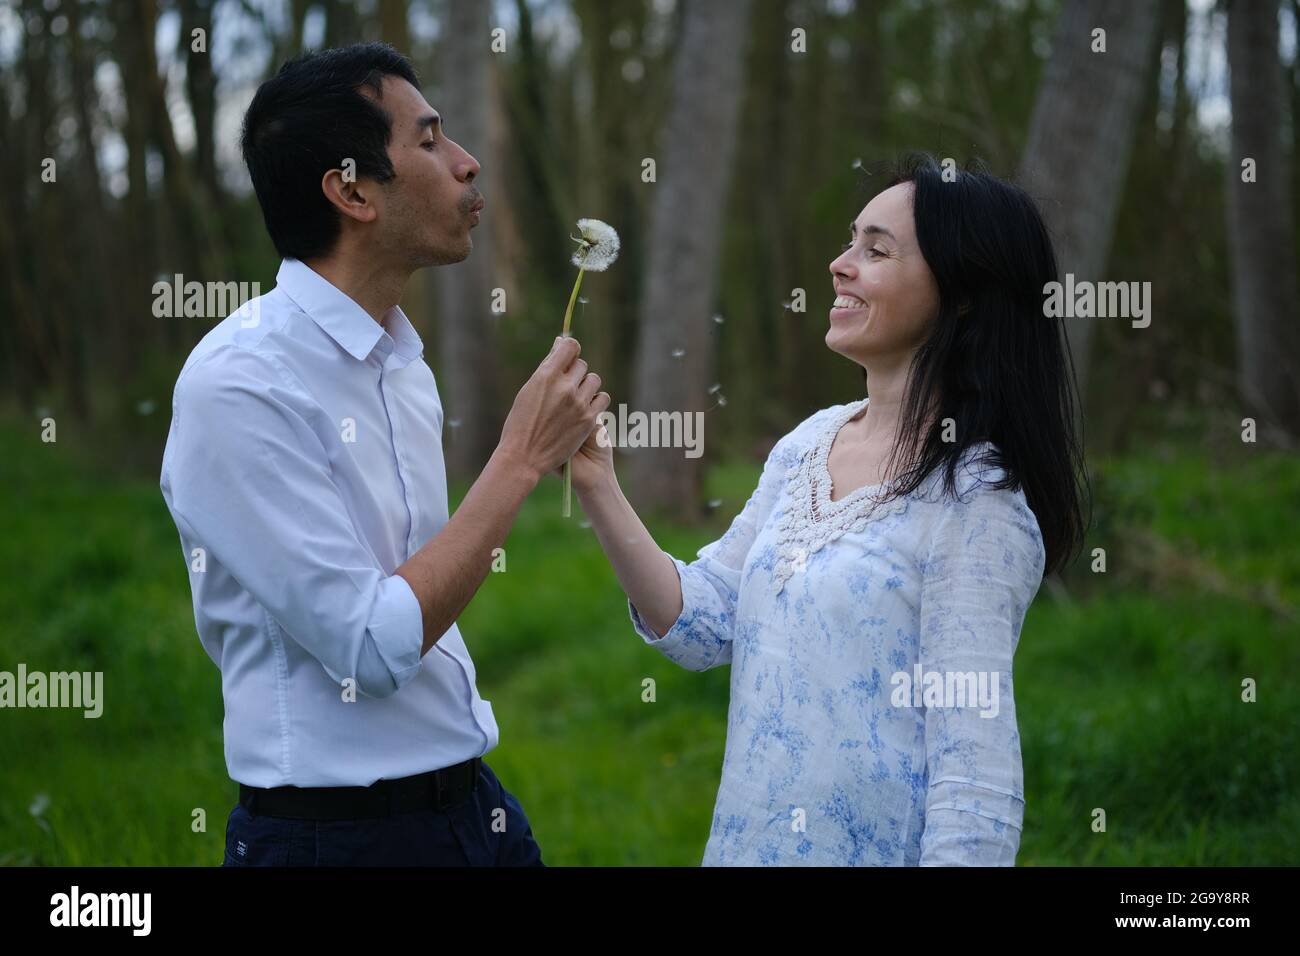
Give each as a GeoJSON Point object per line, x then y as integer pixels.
{"type": "Point", "coordinates": [695, 167]}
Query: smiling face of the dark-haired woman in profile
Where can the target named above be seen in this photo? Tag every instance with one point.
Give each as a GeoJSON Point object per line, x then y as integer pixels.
{"type": "Point", "coordinates": [886, 296]}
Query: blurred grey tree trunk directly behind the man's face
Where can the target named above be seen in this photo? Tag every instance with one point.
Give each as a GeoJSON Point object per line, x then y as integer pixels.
{"type": "Point", "coordinates": [466, 356]}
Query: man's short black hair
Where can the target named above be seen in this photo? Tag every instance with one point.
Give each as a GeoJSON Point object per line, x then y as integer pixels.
{"type": "Point", "coordinates": [307, 120]}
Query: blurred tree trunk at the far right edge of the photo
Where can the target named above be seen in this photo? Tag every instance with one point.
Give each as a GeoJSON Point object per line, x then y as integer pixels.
{"type": "Point", "coordinates": [1260, 220]}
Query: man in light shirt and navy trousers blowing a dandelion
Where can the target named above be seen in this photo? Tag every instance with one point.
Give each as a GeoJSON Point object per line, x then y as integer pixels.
{"type": "Point", "coordinates": [305, 474]}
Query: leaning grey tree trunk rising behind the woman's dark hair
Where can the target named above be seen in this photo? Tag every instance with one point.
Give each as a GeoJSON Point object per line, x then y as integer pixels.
{"type": "Point", "coordinates": [1081, 139]}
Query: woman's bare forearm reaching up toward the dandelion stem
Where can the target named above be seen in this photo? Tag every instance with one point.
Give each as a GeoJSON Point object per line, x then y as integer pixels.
{"type": "Point", "coordinates": [647, 573]}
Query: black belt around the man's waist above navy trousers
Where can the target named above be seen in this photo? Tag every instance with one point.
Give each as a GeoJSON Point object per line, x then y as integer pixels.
{"type": "Point", "coordinates": [437, 790]}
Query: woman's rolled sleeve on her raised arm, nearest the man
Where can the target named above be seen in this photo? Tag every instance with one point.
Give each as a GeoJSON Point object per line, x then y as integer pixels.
{"type": "Point", "coordinates": [701, 638]}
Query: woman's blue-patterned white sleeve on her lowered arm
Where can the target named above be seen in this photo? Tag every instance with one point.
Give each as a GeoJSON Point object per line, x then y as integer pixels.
{"type": "Point", "coordinates": [985, 566]}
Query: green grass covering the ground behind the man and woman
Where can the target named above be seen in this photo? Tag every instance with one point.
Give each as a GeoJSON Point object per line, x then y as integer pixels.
{"type": "Point", "coordinates": [1128, 687]}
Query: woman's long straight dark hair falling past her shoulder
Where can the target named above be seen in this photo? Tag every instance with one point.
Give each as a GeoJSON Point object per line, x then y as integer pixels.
{"type": "Point", "coordinates": [994, 362]}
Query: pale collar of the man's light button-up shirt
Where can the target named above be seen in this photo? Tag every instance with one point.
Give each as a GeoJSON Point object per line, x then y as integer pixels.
{"type": "Point", "coordinates": [344, 321]}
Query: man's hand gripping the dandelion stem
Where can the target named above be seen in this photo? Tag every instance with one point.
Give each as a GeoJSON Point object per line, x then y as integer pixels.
{"type": "Point", "coordinates": [554, 413]}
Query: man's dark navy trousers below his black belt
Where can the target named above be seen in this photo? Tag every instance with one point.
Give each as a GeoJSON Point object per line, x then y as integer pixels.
{"type": "Point", "coordinates": [487, 830]}
